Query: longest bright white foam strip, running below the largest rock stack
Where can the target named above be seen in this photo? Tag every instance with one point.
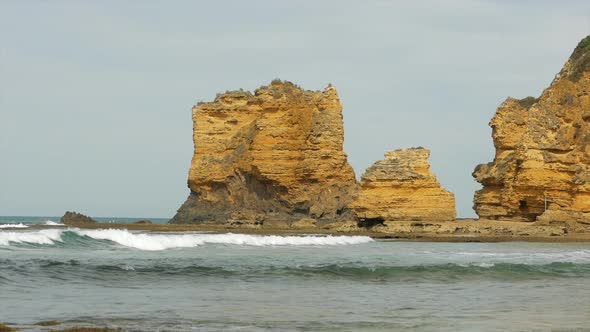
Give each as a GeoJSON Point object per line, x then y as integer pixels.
{"type": "Point", "coordinates": [145, 241]}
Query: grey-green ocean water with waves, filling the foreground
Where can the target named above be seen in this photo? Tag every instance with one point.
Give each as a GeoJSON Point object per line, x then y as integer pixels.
{"type": "Point", "coordinates": [190, 281]}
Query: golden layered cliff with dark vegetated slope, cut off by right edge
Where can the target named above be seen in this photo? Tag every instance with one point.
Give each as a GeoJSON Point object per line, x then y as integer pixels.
{"type": "Point", "coordinates": [541, 166]}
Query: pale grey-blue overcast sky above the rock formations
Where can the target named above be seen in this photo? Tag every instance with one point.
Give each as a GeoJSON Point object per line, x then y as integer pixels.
{"type": "Point", "coordinates": [96, 96]}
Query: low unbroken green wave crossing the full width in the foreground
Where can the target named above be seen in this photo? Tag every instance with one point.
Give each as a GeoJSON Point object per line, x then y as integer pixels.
{"type": "Point", "coordinates": [449, 272]}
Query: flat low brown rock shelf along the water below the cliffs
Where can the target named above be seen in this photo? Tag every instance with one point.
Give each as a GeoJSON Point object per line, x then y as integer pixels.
{"type": "Point", "coordinates": [466, 230]}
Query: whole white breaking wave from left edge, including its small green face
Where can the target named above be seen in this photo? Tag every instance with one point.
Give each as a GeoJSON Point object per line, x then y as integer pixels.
{"type": "Point", "coordinates": [152, 242]}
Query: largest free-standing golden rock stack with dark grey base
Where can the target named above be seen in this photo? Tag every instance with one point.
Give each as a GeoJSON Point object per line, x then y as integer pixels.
{"type": "Point", "coordinates": [275, 154]}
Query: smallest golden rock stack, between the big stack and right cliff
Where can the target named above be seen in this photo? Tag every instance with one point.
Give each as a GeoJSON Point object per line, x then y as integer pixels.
{"type": "Point", "coordinates": [401, 187]}
